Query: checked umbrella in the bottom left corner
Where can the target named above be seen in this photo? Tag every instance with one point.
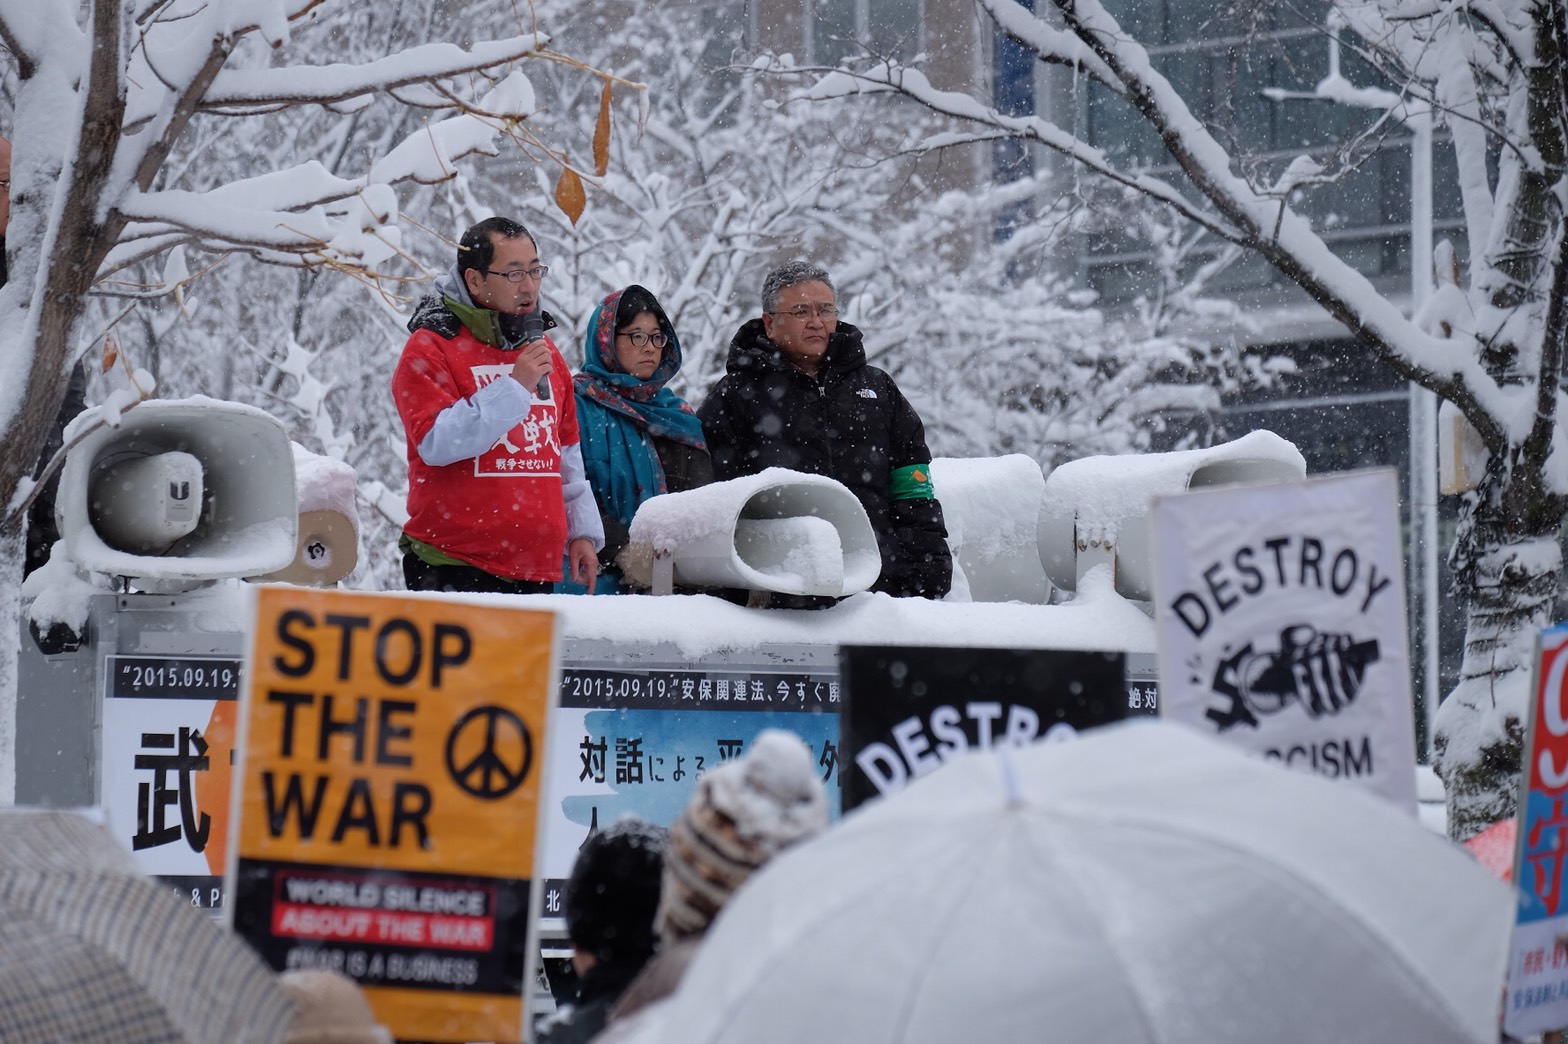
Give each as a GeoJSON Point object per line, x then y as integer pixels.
{"type": "Point", "coordinates": [93, 951]}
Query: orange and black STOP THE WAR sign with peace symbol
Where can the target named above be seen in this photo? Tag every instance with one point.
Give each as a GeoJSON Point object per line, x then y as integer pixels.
{"type": "Point", "coordinates": [388, 802]}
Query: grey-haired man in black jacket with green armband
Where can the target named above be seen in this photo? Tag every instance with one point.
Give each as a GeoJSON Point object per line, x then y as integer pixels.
{"type": "Point", "coordinates": [799, 394]}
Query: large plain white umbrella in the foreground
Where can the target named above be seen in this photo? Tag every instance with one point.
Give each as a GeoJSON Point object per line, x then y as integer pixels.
{"type": "Point", "coordinates": [1141, 885]}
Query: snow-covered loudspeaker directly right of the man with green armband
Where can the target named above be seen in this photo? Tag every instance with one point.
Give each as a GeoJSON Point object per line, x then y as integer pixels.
{"type": "Point", "coordinates": [992, 506]}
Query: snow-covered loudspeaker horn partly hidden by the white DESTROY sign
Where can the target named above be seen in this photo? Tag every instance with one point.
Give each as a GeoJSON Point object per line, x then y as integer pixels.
{"type": "Point", "coordinates": [1097, 510]}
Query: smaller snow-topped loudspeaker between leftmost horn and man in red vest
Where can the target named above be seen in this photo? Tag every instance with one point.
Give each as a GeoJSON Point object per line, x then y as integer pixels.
{"type": "Point", "coordinates": [328, 546]}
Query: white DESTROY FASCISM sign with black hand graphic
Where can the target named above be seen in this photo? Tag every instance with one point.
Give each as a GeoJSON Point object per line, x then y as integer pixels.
{"type": "Point", "coordinates": [1282, 625]}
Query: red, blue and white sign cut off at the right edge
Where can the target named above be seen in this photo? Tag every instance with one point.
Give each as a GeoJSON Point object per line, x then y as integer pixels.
{"type": "Point", "coordinates": [1537, 996]}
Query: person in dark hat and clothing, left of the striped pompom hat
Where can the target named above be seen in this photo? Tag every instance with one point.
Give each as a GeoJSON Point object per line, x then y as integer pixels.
{"type": "Point", "coordinates": [612, 897]}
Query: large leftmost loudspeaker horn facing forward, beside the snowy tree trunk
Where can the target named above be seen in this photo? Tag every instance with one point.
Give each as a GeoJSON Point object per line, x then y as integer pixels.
{"type": "Point", "coordinates": [181, 490]}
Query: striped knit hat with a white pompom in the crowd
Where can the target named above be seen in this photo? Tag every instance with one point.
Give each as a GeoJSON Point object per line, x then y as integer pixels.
{"type": "Point", "coordinates": [741, 816]}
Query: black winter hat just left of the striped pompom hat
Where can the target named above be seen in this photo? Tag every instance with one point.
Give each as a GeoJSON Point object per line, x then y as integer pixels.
{"type": "Point", "coordinates": [614, 891]}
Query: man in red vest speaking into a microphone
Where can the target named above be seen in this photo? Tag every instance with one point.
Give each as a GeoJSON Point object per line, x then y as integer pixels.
{"type": "Point", "coordinates": [496, 484]}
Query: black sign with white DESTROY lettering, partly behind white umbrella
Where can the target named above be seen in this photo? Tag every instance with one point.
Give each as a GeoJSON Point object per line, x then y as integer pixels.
{"type": "Point", "coordinates": [909, 709]}
